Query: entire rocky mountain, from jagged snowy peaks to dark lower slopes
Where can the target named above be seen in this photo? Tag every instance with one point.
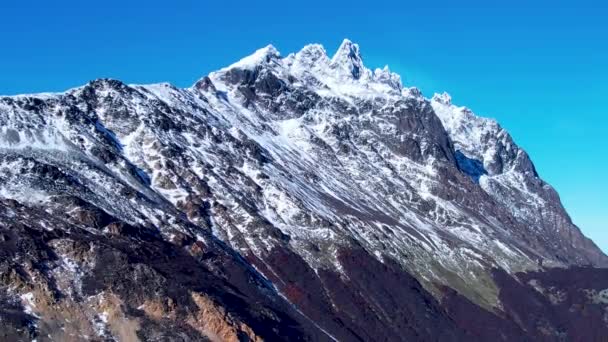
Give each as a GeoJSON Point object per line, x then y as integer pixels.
{"type": "Point", "coordinates": [282, 198]}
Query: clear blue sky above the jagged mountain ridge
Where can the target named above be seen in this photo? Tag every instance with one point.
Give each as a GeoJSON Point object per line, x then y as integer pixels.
{"type": "Point", "coordinates": [541, 70]}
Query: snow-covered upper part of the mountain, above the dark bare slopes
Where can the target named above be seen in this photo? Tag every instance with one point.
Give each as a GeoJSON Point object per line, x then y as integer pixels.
{"type": "Point", "coordinates": [306, 155]}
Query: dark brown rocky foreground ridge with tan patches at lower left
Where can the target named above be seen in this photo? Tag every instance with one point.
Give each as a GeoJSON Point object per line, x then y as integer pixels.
{"type": "Point", "coordinates": [61, 282]}
